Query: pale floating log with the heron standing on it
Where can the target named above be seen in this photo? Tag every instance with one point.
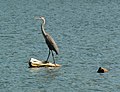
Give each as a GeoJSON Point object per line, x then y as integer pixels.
{"type": "Point", "coordinates": [38, 63]}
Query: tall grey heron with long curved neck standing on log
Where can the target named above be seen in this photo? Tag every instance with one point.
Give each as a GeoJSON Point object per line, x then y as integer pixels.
{"type": "Point", "coordinates": [49, 41]}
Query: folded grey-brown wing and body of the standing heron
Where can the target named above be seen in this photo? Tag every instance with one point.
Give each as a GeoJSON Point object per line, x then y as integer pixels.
{"type": "Point", "coordinates": [51, 43]}
